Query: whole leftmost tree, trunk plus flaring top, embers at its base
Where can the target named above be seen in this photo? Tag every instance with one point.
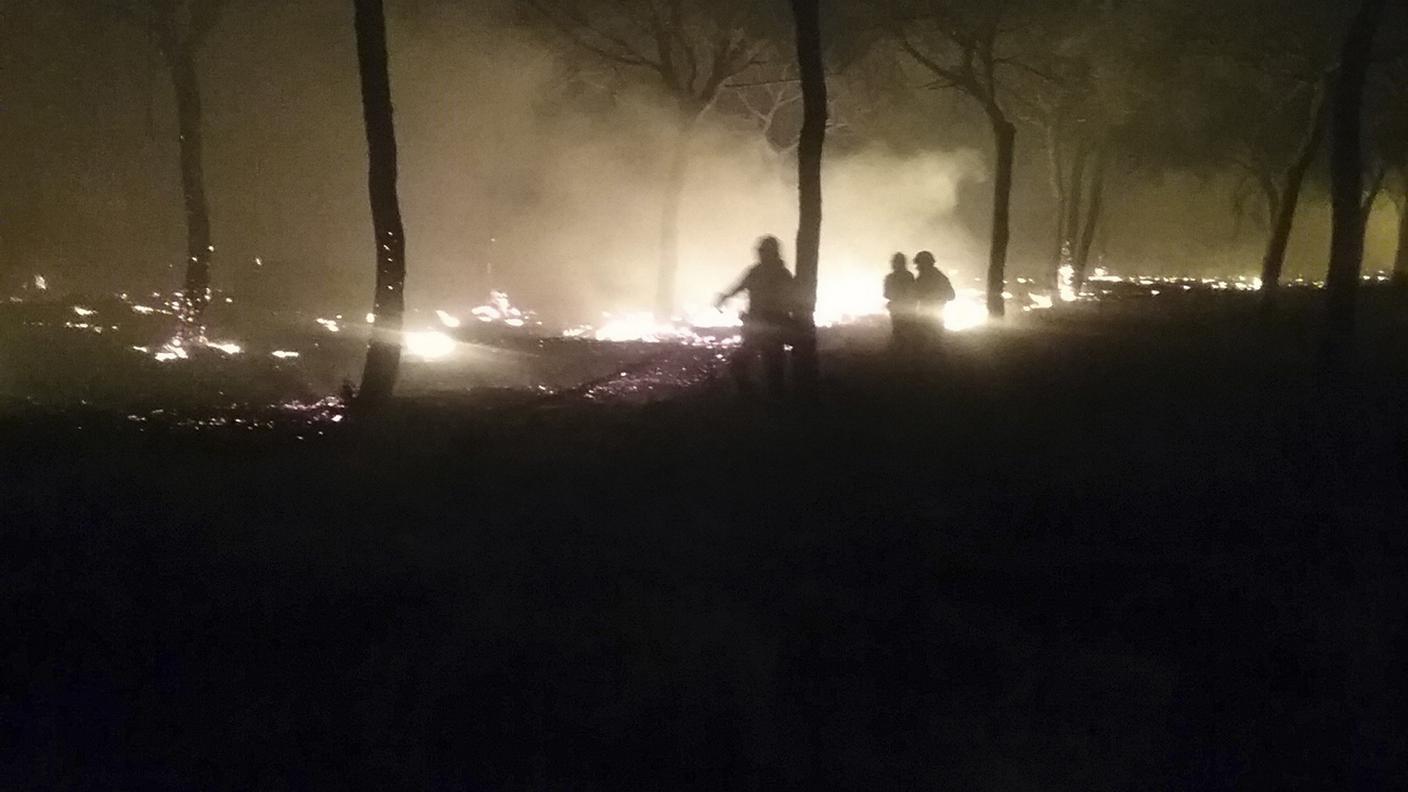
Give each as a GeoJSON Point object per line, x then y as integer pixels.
{"type": "Point", "coordinates": [180, 29]}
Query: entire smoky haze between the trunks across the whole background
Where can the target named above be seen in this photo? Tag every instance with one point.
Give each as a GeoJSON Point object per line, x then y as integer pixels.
{"type": "Point", "coordinates": [526, 167]}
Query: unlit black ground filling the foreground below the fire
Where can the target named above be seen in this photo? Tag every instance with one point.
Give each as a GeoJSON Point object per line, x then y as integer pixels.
{"type": "Point", "coordinates": [1102, 555]}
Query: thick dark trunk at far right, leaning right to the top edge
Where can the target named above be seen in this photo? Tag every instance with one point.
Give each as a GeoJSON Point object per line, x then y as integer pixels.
{"type": "Point", "coordinates": [1347, 250]}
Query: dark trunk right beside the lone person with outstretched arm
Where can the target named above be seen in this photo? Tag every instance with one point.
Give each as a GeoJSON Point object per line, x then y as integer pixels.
{"type": "Point", "coordinates": [810, 147]}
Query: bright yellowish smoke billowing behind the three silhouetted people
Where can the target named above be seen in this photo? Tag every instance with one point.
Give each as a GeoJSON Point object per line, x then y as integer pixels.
{"type": "Point", "coordinates": [524, 178]}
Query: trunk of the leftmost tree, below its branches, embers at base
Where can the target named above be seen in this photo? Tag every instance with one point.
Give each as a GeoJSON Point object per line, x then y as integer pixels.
{"type": "Point", "coordinates": [196, 288]}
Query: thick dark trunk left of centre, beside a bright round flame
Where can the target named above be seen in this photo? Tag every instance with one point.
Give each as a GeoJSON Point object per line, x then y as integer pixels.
{"type": "Point", "coordinates": [384, 356]}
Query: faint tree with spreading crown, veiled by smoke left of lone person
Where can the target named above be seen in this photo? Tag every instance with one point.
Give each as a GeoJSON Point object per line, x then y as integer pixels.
{"type": "Point", "coordinates": [693, 47]}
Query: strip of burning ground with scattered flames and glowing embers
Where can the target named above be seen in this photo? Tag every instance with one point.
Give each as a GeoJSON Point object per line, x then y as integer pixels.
{"type": "Point", "coordinates": [120, 352]}
